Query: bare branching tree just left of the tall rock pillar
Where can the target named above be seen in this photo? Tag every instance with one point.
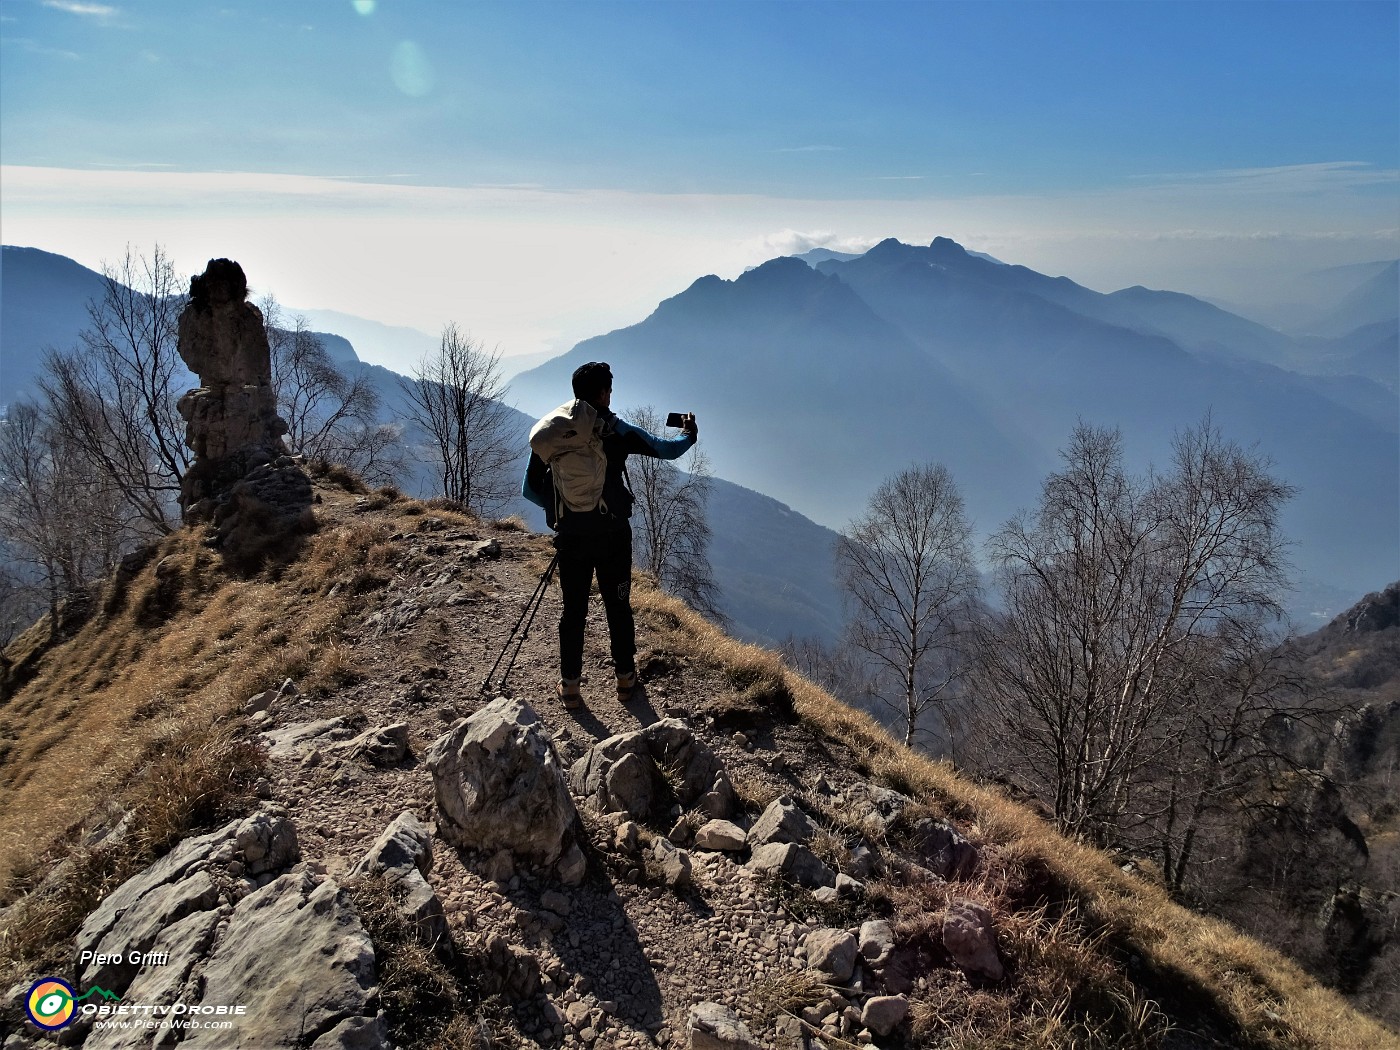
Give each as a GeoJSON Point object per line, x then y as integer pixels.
{"type": "Point", "coordinates": [117, 397]}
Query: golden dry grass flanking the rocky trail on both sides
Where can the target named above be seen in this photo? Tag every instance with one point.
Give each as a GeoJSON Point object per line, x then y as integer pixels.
{"type": "Point", "coordinates": [142, 708]}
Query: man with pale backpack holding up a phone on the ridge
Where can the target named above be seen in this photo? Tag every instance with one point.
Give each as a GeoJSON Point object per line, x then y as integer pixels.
{"type": "Point", "coordinates": [593, 526]}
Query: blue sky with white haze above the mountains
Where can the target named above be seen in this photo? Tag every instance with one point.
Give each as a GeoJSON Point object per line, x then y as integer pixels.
{"type": "Point", "coordinates": [345, 148]}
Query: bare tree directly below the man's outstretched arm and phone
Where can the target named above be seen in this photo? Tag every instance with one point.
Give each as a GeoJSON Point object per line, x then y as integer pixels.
{"type": "Point", "coordinates": [671, 537]}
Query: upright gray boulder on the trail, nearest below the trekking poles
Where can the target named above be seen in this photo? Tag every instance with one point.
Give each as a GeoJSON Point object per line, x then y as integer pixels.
{"type": "Point", "coordinates": [500, 785]}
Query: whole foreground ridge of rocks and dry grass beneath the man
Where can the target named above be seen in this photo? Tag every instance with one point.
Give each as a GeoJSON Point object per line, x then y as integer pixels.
{"type": "Point", "coordinates": [393, 605]}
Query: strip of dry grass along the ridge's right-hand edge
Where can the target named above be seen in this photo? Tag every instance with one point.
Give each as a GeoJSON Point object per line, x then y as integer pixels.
{"type": "Point", "coordinates": [1186, 965]}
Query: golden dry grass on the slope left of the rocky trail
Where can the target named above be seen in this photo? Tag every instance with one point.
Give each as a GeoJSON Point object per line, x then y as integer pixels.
{"type": "Point", "coordinates": [141, 705]}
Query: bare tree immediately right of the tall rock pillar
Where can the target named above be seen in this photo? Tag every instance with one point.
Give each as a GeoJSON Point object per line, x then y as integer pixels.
{"type": "Point", "coordinates": [330, 415]}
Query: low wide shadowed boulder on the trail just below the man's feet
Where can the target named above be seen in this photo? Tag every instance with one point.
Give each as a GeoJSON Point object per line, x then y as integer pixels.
{"type": "Point", "coordinates": [624, 773]}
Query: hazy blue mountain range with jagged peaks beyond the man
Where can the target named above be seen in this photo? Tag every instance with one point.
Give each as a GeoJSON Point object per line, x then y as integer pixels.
{"type": "Point", "coordinates": [815, 381]}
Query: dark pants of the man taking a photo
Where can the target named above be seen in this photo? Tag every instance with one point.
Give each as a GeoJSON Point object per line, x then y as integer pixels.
{"type": "Point", "coordinates": [610, 555]}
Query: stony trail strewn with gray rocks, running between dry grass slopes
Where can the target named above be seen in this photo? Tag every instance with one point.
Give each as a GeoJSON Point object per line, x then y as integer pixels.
{"type": "Point", "coordinates": [687, 869]}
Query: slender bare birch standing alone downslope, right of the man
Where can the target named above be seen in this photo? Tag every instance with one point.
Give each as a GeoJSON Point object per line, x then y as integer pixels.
{"type": "Point", "coordinates": [909, 576]}
